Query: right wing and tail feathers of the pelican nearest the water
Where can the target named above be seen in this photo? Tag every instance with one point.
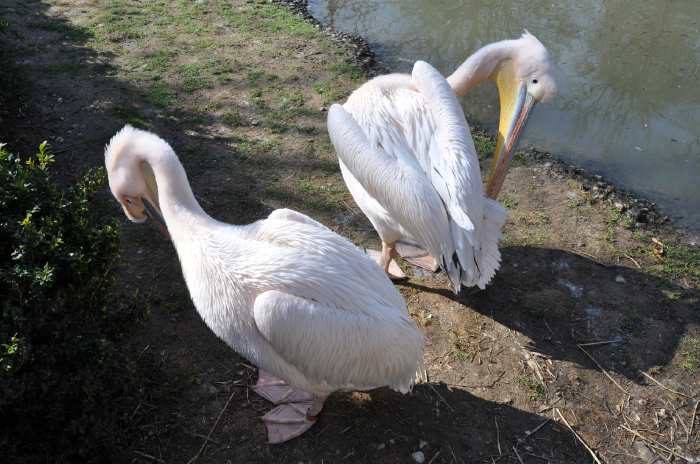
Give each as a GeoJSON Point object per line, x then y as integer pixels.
{"type": "Point", "coordinates": [447, 154]}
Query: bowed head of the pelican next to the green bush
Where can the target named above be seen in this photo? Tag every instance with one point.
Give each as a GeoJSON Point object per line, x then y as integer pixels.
{"type": "Point", "coordinates": [131, 178]}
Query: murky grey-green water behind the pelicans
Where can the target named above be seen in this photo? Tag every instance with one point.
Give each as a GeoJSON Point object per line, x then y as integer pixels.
{"type": "Point", "coordinates": [628, 77]}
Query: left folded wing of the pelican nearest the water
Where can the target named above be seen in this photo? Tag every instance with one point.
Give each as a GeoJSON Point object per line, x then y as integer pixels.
{"type": "Point", "coordinates": [398, 184]}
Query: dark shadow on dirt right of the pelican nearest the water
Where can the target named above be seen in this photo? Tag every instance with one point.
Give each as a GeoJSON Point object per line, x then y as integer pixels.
{"type": "Point", "coordinates": [559, 299]}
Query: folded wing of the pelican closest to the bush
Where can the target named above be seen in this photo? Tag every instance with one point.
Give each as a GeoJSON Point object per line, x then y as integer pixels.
{"type": "Point", "coordinates": [338, 346]}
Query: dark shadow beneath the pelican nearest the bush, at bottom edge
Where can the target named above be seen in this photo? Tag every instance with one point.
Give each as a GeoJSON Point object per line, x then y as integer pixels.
{"type": "Point", "coordinates": [444, 424]}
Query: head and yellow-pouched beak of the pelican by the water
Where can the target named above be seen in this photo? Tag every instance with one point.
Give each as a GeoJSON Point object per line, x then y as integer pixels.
{"type": "Point", "coordinates": [524, 77]}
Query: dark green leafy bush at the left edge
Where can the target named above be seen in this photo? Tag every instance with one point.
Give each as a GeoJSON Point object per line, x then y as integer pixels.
{"type": "Point", "coordinates": [59, 368]}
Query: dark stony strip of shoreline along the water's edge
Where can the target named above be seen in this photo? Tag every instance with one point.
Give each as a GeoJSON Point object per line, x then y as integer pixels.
{"type": "Point", "coordinates": [642, 212]}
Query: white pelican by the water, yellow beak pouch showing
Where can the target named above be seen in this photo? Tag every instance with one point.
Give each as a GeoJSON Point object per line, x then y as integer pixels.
{"type": "Point", "coordinates": [408, 159]}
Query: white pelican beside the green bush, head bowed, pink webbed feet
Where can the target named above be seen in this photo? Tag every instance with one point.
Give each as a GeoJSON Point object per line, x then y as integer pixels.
{"type": "Point", "coordinates": [311, 310]}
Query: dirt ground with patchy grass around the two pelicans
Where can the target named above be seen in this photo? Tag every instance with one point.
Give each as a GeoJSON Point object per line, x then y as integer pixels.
{"type": "Point", "coordinates": [590, 332]}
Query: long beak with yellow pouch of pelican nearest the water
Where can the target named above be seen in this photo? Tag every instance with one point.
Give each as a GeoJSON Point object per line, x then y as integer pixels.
{"type": "Point", "coordinates": [516, 104]}
